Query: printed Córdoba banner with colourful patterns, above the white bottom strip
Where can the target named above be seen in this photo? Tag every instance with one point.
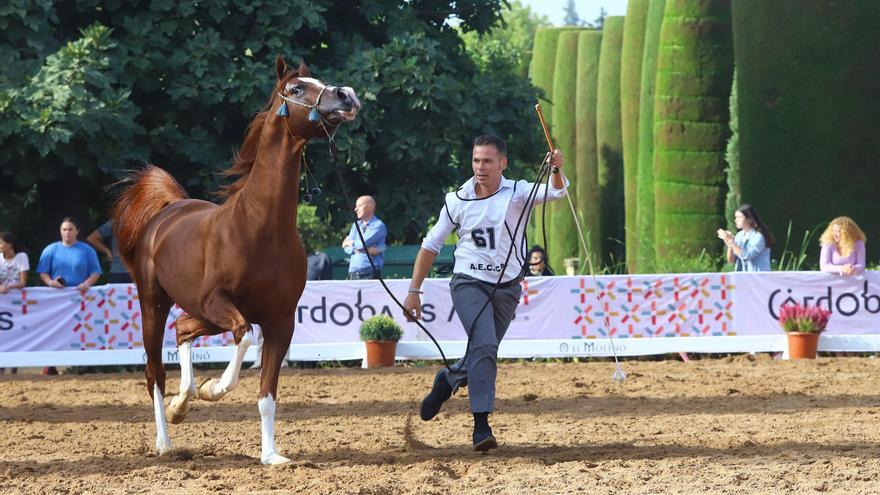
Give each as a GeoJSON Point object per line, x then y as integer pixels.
{"type": "Point", "coordinates": [552, 308]}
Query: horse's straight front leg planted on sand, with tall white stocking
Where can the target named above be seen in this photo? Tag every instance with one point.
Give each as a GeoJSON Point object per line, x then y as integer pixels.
{"type": "Point", "coordinates": [276, 340]}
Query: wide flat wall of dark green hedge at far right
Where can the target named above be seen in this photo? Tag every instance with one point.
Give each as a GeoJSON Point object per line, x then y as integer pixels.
{"type": "Point", "coordinates": [809, 131]}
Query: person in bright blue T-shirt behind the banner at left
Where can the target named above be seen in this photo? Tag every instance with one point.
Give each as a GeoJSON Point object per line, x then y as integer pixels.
{"type": "Point", "coordinates": [69, 262]}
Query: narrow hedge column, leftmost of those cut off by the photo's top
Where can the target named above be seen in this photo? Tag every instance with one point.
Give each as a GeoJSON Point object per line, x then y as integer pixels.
{"type": "Point", "coordinates": [630, 87]}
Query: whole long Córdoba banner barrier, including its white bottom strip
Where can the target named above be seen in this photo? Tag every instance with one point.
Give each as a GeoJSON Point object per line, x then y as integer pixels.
{"type": "Point", "coordinates": [557, 316]}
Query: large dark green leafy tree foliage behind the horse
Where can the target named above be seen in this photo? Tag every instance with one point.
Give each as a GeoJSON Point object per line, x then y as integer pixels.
{"type": "Point", "coordinates": [94, 88]}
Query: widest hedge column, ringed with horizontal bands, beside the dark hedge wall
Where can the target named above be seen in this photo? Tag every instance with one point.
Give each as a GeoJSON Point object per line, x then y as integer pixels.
{"type": "Point", "coordinates": [694, 69]}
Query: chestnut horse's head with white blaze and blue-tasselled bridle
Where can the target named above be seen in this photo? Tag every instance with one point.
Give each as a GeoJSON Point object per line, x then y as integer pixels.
{"type": "Point", "coordinates": [311, 107]}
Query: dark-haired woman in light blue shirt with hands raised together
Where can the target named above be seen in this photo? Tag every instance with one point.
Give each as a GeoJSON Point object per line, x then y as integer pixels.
{"type": "Point", "coordinates": [749, 250]}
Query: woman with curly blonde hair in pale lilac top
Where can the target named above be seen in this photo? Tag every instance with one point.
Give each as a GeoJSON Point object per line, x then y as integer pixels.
{"type": "Point", "coordinates": [843, 248]}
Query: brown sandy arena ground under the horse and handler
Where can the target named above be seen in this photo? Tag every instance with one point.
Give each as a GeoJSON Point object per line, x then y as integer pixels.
{"type": "Point", "coordinates": [730, 425]}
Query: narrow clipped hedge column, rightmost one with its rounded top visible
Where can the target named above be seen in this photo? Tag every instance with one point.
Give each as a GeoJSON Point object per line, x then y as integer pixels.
{"type": "Point", "coordinates": [610, 142]}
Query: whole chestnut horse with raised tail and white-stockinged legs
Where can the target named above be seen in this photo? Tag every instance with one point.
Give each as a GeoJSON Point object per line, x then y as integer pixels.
{"type": "Point", "coordinates": [229, 265]}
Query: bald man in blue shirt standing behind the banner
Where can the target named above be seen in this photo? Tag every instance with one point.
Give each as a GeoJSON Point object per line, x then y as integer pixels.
{"type": "Point", "coordinates": [374, 232]}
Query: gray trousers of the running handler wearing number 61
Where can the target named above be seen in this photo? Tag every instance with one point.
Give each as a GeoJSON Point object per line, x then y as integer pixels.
{"type": "Point", "coordinates": [479, 371]}
